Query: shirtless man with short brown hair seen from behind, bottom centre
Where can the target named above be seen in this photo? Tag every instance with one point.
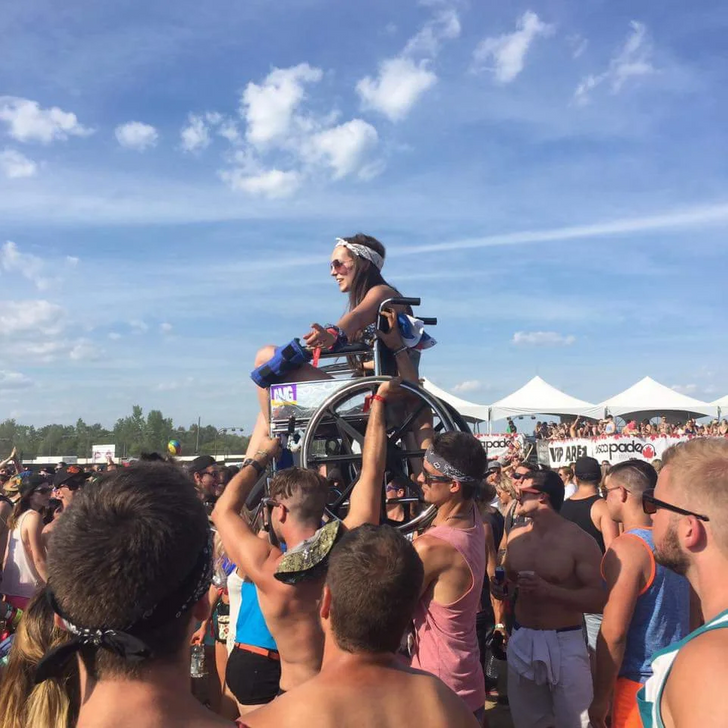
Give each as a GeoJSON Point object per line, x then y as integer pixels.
{"type": "Point", "coordinates": [372, 586]}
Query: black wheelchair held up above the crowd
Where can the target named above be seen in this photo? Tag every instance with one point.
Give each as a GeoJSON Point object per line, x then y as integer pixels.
{"type": "Point", "coordinates": [323, 424]}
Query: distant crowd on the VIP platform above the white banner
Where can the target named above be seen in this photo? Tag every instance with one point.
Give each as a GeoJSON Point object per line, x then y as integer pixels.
{"type": "Point", "coordinates": [579, 427]}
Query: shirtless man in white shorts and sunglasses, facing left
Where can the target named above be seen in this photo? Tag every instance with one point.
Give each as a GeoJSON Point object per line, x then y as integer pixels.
{"type": "Point", "coordinates": [555, 566]}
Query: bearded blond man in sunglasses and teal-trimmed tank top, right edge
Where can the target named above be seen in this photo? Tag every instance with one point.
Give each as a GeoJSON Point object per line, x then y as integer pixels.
{"type": "Point", "coordinates": [689, 509]}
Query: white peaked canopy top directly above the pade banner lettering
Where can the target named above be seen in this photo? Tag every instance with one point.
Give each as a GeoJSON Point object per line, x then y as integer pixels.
{"type": "Point", "coordinates": [649, 398]}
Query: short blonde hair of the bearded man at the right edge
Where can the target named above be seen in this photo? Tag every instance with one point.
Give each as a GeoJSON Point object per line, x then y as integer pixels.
{"type": "Point", "coordinates": [699, 469]}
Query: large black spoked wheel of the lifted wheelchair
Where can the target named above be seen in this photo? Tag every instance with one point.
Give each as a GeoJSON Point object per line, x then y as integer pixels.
{"type": "Point", "coordinates": [334, 437]}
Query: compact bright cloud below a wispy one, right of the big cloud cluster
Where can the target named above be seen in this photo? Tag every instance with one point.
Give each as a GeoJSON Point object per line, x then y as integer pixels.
{"type": "Point", "coordinates": [397, 88]}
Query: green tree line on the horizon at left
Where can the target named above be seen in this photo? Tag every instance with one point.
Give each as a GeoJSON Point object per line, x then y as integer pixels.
{"type": "Point", "coordinates": [132, 435]}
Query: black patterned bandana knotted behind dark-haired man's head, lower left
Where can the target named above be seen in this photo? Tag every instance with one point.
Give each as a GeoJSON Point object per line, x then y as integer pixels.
{"type": "Point", "coordinates": [123, 642]}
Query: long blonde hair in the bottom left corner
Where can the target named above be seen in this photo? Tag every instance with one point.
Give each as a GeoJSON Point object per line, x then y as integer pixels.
{"type": "Point", "coordinates": [55, 702]}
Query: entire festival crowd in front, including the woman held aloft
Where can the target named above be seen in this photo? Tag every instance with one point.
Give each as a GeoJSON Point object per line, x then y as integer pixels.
{"type": "Point", "coordinates": [595, 594]}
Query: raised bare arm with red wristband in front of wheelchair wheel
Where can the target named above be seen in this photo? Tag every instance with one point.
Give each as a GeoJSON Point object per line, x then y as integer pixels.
{"type": "Point", "coordinates": [366, 498]}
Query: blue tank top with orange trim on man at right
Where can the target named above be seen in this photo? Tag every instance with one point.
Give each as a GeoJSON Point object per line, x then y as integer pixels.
{"type": "Point", "coordinates": [661, 615]}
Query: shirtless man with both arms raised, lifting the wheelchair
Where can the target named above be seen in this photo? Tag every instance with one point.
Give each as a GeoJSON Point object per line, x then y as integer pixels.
{"type": "Point", "coordinates": [297, 500]}
